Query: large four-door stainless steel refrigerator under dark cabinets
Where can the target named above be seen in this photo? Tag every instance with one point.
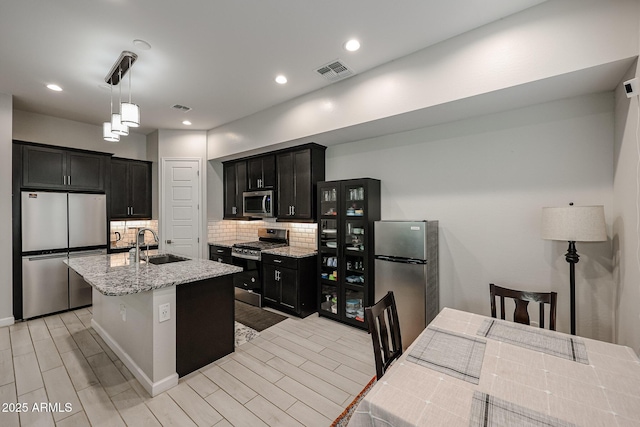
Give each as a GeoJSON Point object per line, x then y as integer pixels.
{"type": "Point", "coordinates": [56, 226]}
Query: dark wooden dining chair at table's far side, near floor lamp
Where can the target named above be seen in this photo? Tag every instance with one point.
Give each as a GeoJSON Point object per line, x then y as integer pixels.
{"type": "Point", "coordinates": [522, 299]}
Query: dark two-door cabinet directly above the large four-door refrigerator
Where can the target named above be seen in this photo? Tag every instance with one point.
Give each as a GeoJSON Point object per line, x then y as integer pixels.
{"type": "Point", "coordinates": [59, 169]}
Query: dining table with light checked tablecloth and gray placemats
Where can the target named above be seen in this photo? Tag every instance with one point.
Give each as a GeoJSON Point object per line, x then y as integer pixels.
{"type": "Point", "coordinates": [467, 369]}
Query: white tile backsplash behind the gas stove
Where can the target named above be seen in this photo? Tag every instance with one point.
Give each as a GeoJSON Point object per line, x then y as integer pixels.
{"type": "Point", "coordinates": [300, 234]}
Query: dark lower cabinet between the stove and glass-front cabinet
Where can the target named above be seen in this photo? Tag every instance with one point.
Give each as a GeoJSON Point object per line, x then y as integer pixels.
{"type": "Point", "coordinates": [288, 284]}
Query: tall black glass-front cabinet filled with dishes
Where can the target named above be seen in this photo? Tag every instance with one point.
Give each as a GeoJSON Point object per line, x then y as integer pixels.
{"type": "Point", "coordinates": [347, 211]}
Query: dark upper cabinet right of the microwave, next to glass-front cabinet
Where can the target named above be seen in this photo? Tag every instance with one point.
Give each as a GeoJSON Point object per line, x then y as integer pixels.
{"type": "Point", "coordinates": [298, 172]}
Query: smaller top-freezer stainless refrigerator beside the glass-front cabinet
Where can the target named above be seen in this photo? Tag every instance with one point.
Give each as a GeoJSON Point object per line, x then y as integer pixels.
{"type": "Point", "coordinates": [406, 262]}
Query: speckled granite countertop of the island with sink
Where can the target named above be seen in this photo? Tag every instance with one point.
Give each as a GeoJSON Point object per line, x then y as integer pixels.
{"type": "Point", "coordinates": [113, 274]}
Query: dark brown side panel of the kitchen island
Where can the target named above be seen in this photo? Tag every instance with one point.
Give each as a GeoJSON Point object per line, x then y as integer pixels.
{"type": "Point", "coordinates": [205, 317]}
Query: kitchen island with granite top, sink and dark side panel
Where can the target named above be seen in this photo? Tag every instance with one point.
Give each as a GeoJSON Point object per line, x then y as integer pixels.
{"type": "Point", "coordinates": [163, 321]}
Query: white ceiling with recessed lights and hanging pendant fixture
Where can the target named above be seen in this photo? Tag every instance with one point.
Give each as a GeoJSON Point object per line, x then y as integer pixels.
{"type": "Point", "coordinates": [218, 57]}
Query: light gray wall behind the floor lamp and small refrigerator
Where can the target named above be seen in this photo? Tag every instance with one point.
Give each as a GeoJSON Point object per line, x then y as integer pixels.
{"type": "Point", "coordinates": [486, 181]}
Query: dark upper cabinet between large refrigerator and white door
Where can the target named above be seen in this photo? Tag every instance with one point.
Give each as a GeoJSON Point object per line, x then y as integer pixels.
{"type": "Point", "coordinates": [130, 195]}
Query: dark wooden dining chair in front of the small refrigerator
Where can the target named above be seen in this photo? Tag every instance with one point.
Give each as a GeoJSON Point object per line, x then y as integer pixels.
{"type": "Point", "coordinates": [382, 319]}
